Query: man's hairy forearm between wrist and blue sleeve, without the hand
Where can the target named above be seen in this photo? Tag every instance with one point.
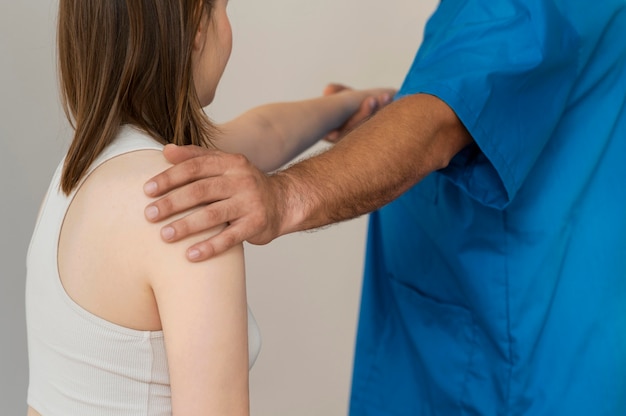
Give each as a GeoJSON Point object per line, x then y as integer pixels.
{"type": "Point", "coordinates": [372, 165]}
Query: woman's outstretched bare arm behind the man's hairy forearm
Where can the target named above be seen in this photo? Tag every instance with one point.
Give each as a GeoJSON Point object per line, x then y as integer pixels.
{"type": "Point", "coordinates": [270, 135]}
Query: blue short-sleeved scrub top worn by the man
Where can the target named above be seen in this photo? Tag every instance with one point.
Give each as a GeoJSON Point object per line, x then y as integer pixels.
{"type": "Point", "coordinates": [497, 286]}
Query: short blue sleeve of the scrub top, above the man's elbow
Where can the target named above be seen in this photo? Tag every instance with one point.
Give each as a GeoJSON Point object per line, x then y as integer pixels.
{"type": "Point", "coordinates": [506, 68]}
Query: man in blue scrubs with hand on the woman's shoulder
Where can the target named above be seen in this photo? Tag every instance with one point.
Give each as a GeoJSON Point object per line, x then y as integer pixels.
{"type": "Point", "coordinates": [495, 279]}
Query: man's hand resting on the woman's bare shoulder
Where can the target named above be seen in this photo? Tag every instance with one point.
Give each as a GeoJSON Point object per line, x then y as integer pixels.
{"type": "Point", "coordinates": [227, 188]}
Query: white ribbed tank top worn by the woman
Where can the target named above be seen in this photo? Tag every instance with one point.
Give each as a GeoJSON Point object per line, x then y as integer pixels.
{"type": "Point", "coordinates": [79, 363]}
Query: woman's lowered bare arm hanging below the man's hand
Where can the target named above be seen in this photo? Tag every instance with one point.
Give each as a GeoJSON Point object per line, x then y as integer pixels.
{"type": "Point", "coordinates": [203, 313]}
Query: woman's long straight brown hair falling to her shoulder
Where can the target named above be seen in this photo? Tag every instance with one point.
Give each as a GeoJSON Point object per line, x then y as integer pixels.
{"type": "Point", "coordinates": [128, 61]}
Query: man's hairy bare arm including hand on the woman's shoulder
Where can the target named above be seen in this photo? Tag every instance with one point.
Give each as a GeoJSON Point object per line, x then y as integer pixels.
{"type": "Point", "coordinates": [371, 166]}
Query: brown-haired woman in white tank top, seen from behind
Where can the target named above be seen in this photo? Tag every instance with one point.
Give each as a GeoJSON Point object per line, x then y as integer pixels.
{"type": "Point", "coordinates": [120, 323]}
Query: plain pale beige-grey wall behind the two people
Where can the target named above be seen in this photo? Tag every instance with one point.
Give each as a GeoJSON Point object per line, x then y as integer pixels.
{"type": "Point", "coordinates": [304, 288]}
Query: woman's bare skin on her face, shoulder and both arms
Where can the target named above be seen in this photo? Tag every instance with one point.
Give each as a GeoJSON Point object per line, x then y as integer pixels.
{"type": "Point", "coordinates": [134, 279]}
